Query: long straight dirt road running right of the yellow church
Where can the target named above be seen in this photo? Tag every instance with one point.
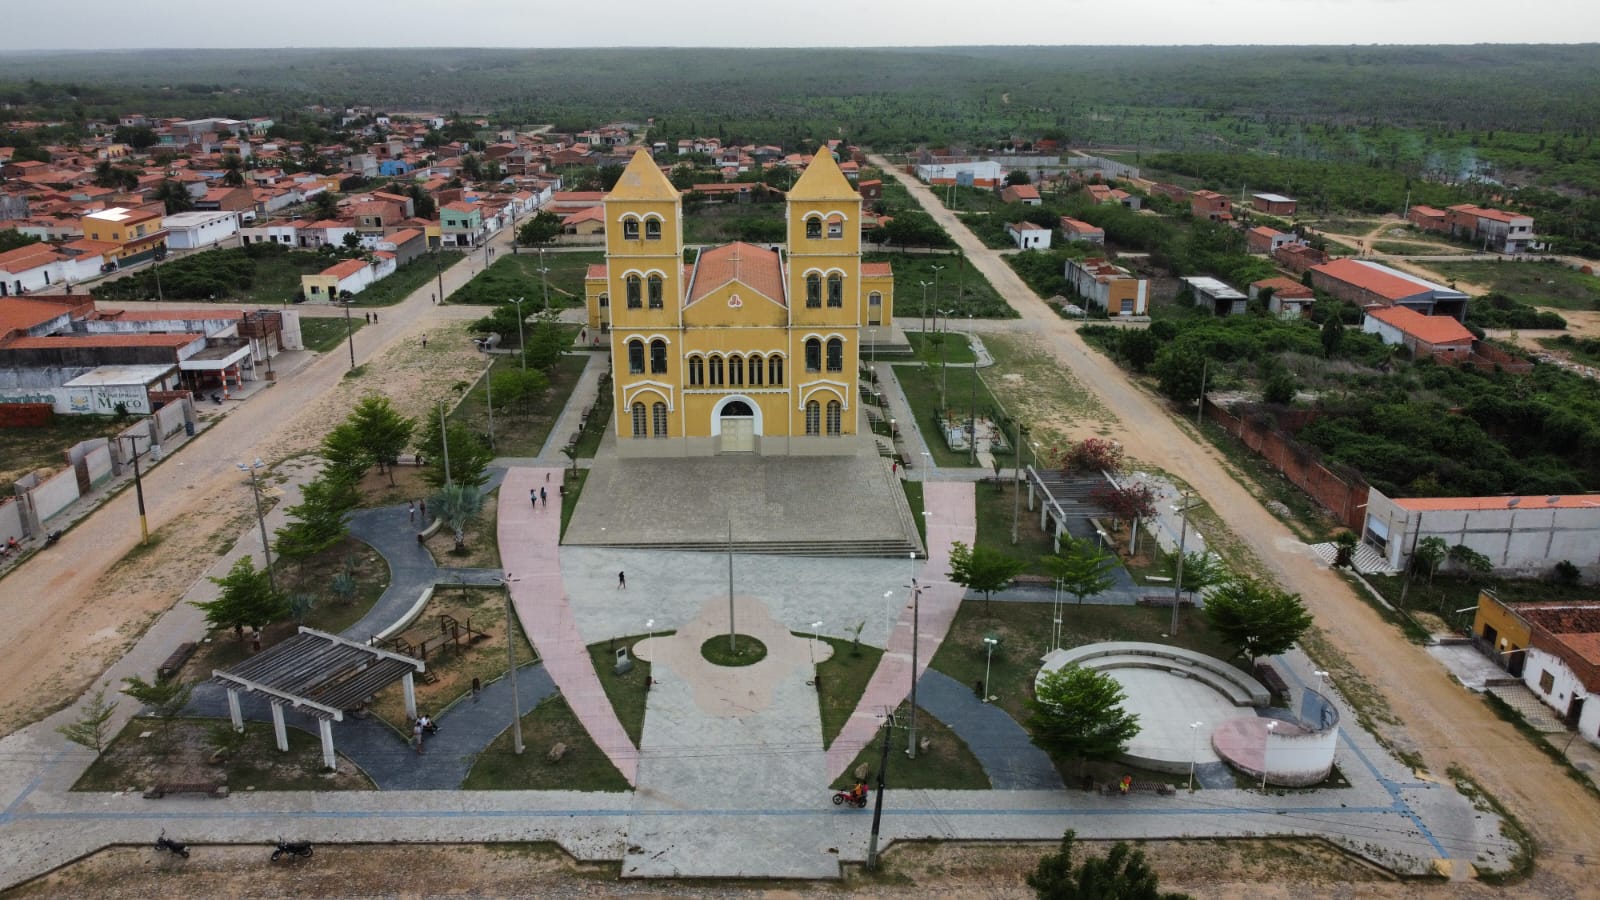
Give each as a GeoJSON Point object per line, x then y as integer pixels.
{"type": "Point", "coordinates": [1444, 723]}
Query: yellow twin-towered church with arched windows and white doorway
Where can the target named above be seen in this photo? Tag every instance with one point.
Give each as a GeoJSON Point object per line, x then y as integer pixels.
{"type": "Point", "coordinates": [745, 350]}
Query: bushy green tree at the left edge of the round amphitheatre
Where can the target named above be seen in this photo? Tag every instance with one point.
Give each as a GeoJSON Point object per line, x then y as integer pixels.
{"type": "Point", "coordinates": [1076, 713]}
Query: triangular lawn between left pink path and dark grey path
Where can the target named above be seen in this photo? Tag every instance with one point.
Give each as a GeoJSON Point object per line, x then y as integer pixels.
{"type": "Point", "coordinates": [583, 768]}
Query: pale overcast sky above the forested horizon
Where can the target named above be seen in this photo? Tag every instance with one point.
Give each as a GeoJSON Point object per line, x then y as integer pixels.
{"type": "Point", "coordinates": [98, 25]}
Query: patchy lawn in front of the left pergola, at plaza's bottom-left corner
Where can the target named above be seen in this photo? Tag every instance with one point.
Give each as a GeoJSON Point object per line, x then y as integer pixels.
{"type": "Point", "coordinates": [180, 750]}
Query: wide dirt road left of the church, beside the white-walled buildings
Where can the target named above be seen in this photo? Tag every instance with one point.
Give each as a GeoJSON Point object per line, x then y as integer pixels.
{"type": "Point", "coordinates": [78, 606]}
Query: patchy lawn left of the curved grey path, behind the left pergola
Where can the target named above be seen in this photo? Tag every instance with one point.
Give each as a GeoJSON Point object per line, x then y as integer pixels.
{"type": "Point", "coordinates": [332, 614]}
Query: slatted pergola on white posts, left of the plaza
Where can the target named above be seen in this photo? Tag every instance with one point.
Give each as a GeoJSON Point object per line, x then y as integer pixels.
{"type": "Point", "coordinates": [322, 675]}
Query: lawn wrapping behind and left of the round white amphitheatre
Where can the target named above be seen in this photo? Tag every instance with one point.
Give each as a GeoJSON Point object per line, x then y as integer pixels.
{"type": "Point", "coordinates": [1025, 635]}
